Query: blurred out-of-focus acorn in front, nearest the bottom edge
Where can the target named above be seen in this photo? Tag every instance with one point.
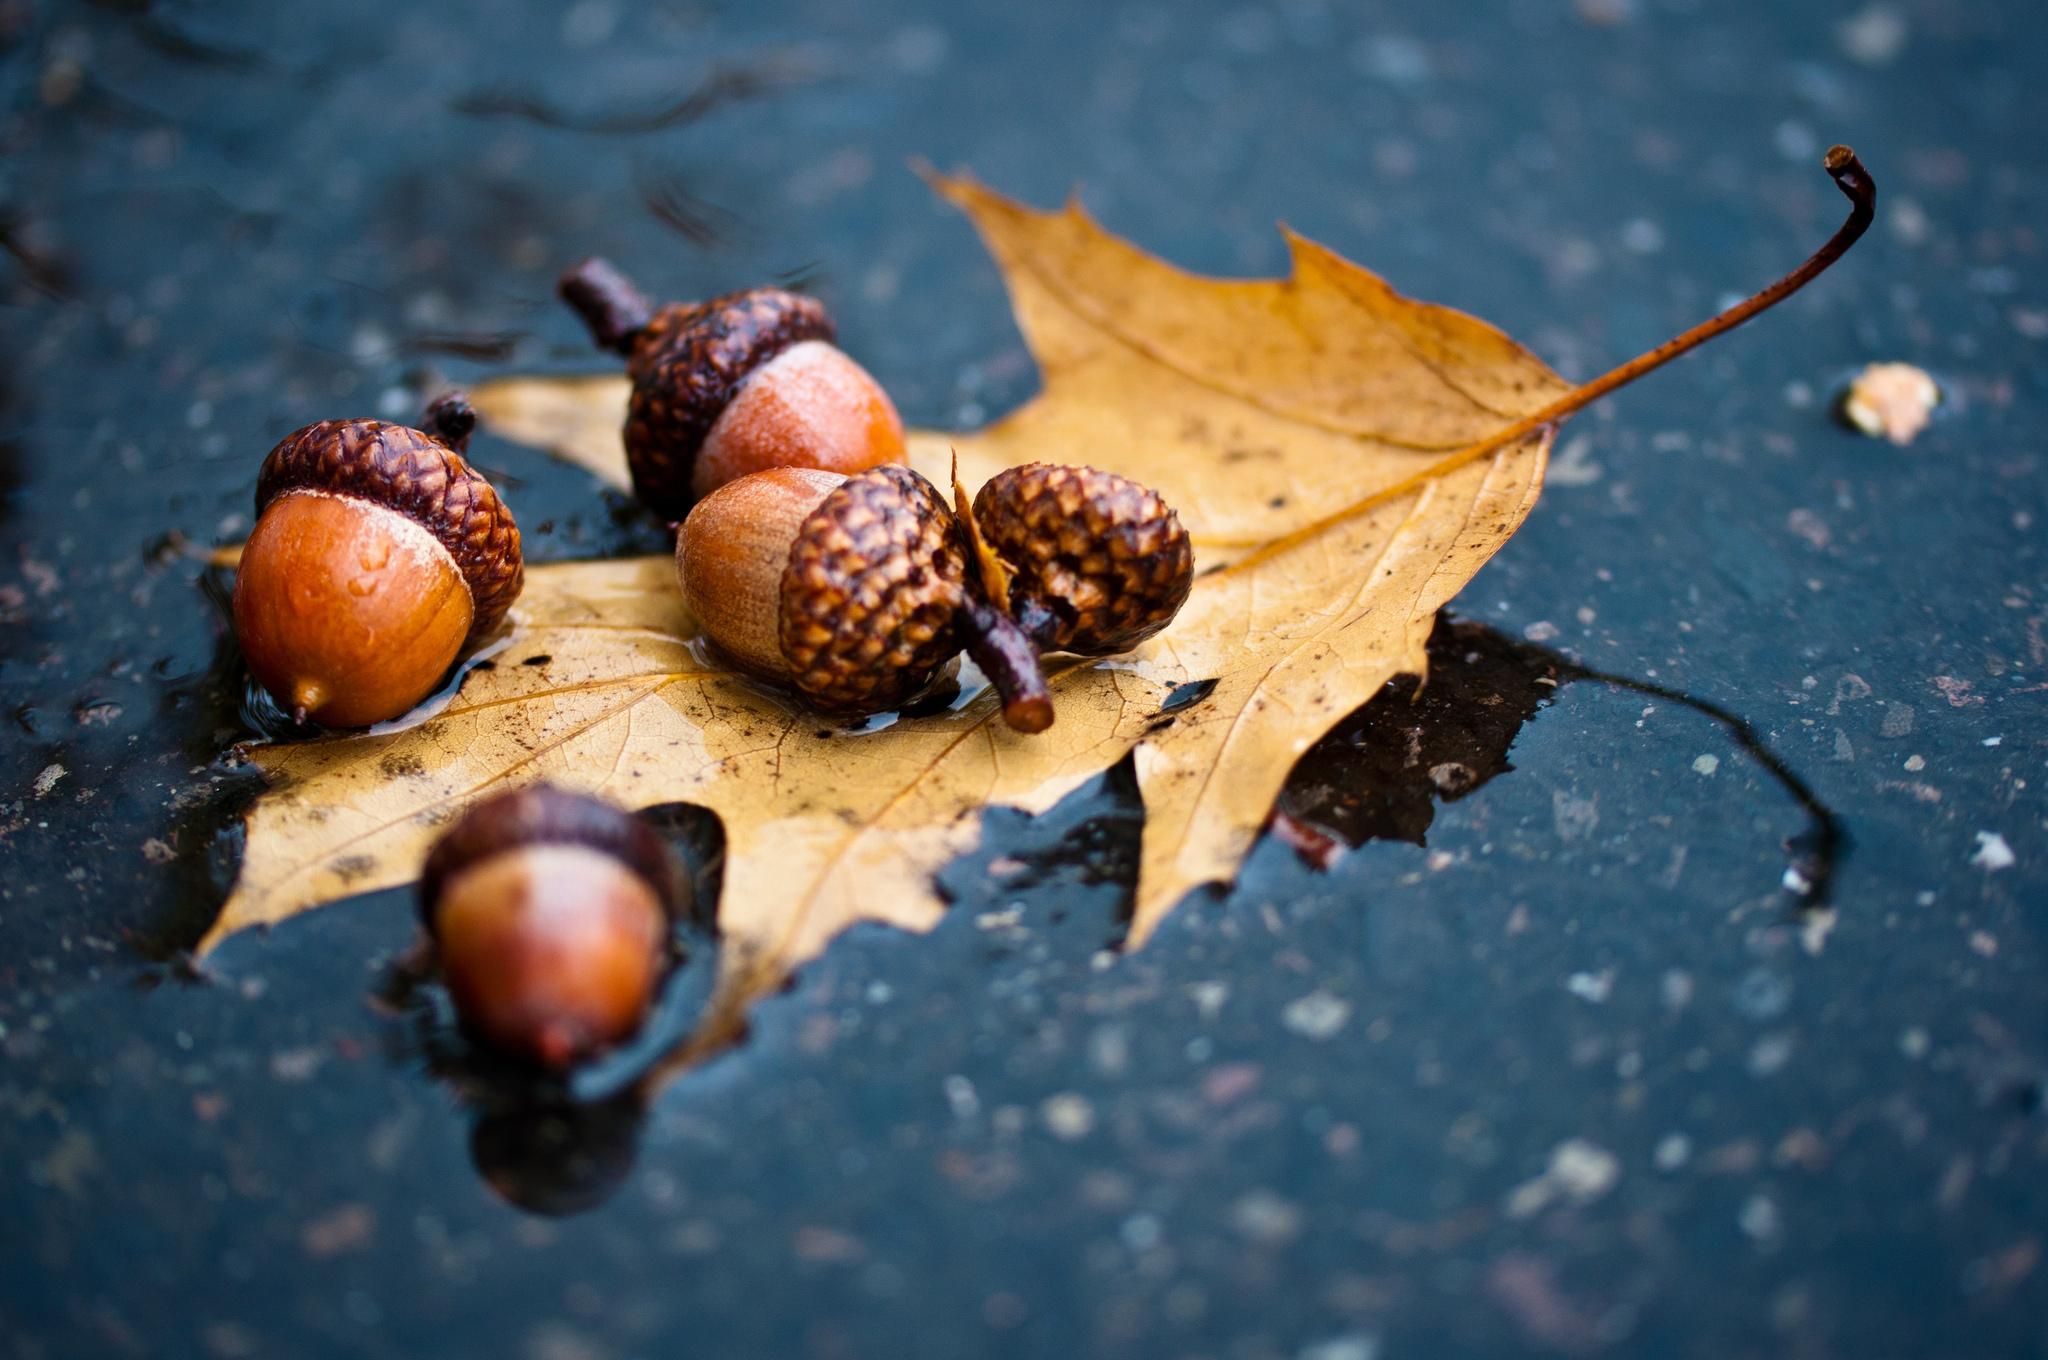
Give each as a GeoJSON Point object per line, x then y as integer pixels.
{"type": "Point", "coordinates": [552, 919]}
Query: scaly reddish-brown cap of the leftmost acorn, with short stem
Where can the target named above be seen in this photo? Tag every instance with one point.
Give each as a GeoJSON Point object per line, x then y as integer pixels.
{"type": "Point", "coordinates": [425, 480]}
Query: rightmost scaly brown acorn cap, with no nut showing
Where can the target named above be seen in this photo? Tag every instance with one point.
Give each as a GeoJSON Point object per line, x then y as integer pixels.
{"type": "Point", "coordinates": [1099, 562]}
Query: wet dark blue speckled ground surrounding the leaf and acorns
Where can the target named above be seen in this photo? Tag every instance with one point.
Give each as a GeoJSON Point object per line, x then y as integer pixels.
{"type": "Point", "coordinates": [1547, 1068]}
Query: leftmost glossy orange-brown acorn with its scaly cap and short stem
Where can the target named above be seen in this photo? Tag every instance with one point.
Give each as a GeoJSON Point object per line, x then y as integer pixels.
{"type": "Point", "coordinates": [378, 556]}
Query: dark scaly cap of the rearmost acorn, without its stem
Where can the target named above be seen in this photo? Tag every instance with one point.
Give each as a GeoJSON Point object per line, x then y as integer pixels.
{"type": "Point", "coordinates": [687, 364]}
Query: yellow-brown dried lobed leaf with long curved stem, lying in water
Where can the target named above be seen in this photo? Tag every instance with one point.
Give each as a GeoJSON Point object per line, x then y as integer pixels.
{"type": "Point", "coordinates": [1345, 458]}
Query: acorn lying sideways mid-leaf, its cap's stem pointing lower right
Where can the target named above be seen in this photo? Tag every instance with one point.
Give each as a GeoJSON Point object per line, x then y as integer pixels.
{"type": "Point", "coordinates": [851, 591]}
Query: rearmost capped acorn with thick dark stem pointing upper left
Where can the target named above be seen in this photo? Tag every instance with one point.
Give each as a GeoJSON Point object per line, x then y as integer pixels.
{"type": "Point", "coordinates": [732, 386]}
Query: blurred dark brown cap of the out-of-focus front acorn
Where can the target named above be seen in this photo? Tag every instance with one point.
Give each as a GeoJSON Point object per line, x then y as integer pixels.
{"type": "Point", "coordinates": [548, 816]}
